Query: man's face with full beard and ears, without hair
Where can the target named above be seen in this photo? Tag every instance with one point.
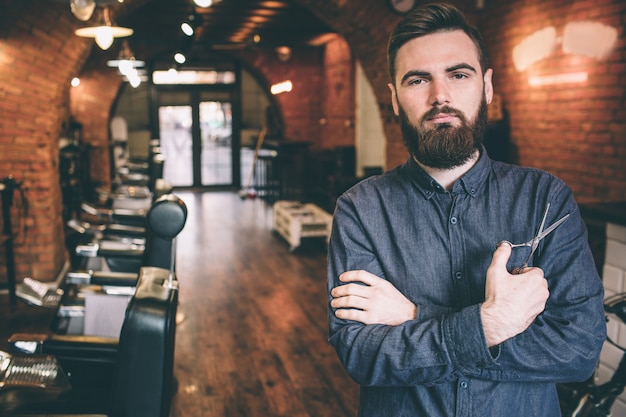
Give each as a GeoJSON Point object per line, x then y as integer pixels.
{"type": "Point", "coordinates": [441, 97]}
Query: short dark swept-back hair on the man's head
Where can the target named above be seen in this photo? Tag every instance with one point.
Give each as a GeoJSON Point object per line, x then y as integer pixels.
{"type": "Point", "coordinates": [428, 19]}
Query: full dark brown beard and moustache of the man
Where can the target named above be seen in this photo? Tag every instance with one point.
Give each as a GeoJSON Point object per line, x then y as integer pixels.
{"type": "Point", "coordinates": [444, 146]}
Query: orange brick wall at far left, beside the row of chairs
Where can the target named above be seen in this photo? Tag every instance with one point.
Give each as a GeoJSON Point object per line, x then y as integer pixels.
{"type": "Point", "coordinates": [35, 68]}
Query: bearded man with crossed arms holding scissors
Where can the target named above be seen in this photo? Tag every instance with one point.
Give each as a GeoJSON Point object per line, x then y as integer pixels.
{"type": "Point", "coordinates": [424, 314]}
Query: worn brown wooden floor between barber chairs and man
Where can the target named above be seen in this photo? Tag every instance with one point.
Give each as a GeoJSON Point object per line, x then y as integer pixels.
{"type": "Point", "coordinates": [253, 338]}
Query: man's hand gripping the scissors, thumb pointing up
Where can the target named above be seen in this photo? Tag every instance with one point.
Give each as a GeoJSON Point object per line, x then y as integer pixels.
{"type": "Point", "coordinates": [512, 302]}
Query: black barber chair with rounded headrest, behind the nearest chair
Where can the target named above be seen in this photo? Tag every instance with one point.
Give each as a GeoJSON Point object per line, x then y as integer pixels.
{"type": "Point", "coordinates": [163, 221]}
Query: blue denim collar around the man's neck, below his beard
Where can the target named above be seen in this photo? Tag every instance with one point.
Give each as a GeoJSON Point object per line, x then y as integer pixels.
{"type": "Point", "coordinates": [471, 182]}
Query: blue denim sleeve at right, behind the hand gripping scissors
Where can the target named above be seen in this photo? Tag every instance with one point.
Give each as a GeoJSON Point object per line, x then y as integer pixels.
{"type": "Point", "coordinates": [564, 342]}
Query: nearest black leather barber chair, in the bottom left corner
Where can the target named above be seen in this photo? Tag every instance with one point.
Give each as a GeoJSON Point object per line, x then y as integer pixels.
{"type": "Point", "coordinates": [131, 376]}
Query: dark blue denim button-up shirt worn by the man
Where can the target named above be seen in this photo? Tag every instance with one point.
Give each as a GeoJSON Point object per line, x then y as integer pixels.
{"type": "Point", "coordinates": [435, 247]}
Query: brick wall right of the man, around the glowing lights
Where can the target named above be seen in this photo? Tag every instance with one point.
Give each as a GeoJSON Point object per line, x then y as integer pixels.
{"type": "Point", "coordinates": [577, 130]}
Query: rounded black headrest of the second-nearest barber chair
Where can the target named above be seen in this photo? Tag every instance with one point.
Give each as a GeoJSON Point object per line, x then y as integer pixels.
{"type": "Point", "coordinates": [167, 216]}
